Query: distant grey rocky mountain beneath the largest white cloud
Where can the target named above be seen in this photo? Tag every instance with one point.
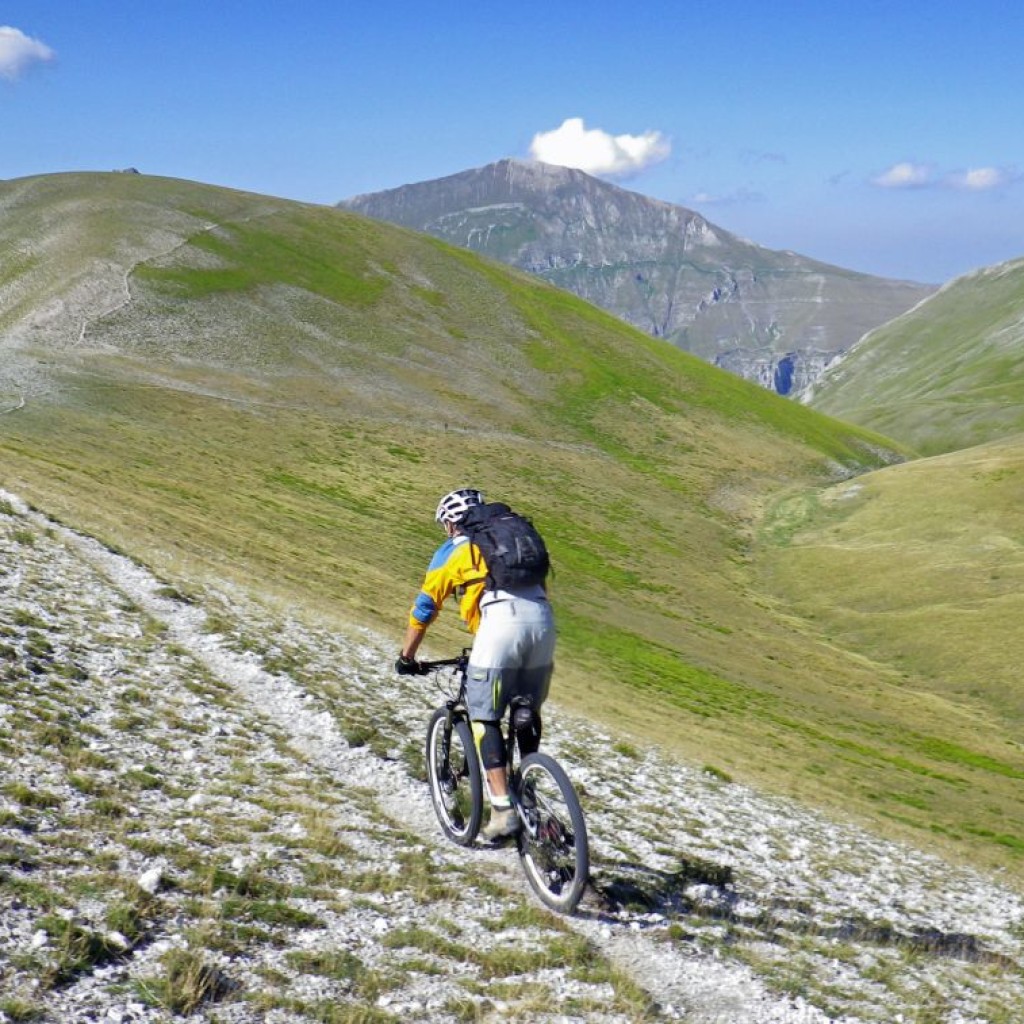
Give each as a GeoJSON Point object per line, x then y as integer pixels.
{"type": "Point", "coordinates": [776, 318]}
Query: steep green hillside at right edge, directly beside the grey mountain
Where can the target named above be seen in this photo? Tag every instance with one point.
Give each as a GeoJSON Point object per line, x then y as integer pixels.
{"type": "Point", "coordinates": [946, 376]}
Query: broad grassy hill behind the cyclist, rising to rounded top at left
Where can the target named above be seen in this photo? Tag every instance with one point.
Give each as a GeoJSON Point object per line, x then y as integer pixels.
{"type": "Point", "coordinates": [291, 389]}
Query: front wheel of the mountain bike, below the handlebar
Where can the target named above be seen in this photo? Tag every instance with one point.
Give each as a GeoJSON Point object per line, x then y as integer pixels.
{"type": "Point", "coordinates": [454, 775]}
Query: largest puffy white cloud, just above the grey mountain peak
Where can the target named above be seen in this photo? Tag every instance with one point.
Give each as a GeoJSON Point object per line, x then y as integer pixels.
{"type": "Point", "coordinates": [596, 152]}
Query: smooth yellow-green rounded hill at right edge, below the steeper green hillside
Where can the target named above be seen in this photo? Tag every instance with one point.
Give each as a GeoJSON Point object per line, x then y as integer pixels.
{"type": "Point", "coordinates": [922, 564]}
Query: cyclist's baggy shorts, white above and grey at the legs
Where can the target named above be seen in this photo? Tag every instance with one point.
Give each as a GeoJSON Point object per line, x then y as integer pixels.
{"type": "Point", "coordinates": [514, 656]}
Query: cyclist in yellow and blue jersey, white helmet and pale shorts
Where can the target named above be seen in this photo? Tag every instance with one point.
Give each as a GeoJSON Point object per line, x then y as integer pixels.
{"type": "Point", "coordinates": [514, 647]}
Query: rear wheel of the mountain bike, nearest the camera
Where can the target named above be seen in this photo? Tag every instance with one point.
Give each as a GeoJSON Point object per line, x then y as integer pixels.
{"type": "Point", "coordinates": [553, 847]}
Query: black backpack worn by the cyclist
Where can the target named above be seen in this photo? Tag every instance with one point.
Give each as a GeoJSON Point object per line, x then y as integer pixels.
{"type": "Point", "coordinates": [515, 551]}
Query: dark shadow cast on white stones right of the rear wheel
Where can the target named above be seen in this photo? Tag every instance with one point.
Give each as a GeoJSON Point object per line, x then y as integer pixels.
{"type": "Point", "coordinates": [701, 891]}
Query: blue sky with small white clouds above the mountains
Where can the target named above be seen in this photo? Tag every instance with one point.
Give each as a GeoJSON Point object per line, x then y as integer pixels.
{"type": "Point", "coordinates": [881, 137]}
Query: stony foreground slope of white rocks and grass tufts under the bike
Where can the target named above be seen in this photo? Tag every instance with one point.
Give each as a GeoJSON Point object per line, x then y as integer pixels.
{"type": "Point", "coordinates": [211, 812]}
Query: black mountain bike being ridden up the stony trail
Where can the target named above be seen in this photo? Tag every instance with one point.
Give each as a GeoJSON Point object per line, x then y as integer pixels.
{"type": "Point", "coordinates": [552, 841]}
